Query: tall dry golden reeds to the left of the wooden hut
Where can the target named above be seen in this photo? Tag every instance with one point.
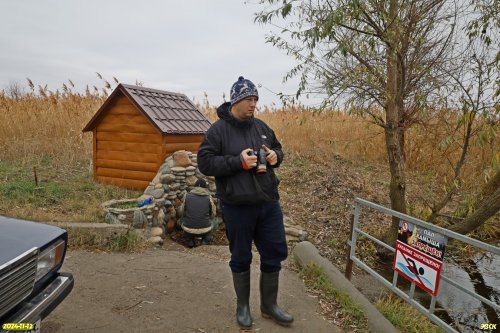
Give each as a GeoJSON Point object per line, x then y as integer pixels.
{"type": "Point", "coordinates": [48, 124]}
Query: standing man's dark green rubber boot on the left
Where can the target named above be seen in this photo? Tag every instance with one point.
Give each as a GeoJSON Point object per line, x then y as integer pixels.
{"type": "Point", "coordinates": [241, 283]}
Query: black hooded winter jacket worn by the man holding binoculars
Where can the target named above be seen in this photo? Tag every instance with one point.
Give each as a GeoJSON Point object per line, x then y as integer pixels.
{"type": "Point", "coordinates": [219, 156]}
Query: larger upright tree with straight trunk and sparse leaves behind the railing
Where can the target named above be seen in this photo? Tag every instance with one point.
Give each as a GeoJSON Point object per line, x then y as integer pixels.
{"type": "Point", "coordinates": [378, 57]}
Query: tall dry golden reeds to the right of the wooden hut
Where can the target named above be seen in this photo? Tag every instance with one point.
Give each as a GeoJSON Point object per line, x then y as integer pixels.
{"type": "Point", "coordinates": [432, 148]}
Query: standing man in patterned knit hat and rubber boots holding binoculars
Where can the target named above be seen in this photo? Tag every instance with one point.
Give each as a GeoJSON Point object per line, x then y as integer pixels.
{"type": "Point", "coordinates": [249, 200]}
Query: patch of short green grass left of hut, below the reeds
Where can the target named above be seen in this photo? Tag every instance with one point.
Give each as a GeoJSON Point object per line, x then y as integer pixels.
{"type": "Point", "coordinates": [58, 192]}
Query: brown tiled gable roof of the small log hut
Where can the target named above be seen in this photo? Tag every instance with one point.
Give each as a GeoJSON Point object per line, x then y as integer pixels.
{"type": "Point", "coordinates": [171, 113]}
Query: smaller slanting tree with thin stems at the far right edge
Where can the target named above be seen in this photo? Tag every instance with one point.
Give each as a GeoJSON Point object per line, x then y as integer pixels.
{"type": "Point", "coordinates": [475, 87]}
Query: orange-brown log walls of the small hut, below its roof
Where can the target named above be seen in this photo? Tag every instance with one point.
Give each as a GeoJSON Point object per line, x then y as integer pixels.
{"type": "Point", "coordinates": [128, 148]}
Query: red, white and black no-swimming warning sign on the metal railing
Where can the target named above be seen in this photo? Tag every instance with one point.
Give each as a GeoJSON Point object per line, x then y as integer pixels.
{"type": "Point", "coordinates": [419, 256]}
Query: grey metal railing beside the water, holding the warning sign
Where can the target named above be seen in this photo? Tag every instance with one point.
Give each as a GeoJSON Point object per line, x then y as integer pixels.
{"type": "Point", "coordinates": [428, 312]}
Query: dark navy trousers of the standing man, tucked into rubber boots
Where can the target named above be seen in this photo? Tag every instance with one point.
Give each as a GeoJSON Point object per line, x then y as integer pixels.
{"type": "Point", "coordinates": [261, 223]}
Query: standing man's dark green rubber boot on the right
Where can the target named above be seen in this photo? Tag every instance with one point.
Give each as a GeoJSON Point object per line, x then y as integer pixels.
{"type": "Point", "coordinates": [269, 283]}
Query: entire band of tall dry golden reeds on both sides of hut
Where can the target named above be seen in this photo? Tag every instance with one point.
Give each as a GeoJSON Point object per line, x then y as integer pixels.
{"type": "Point", "coordinates": [39, 124]}
